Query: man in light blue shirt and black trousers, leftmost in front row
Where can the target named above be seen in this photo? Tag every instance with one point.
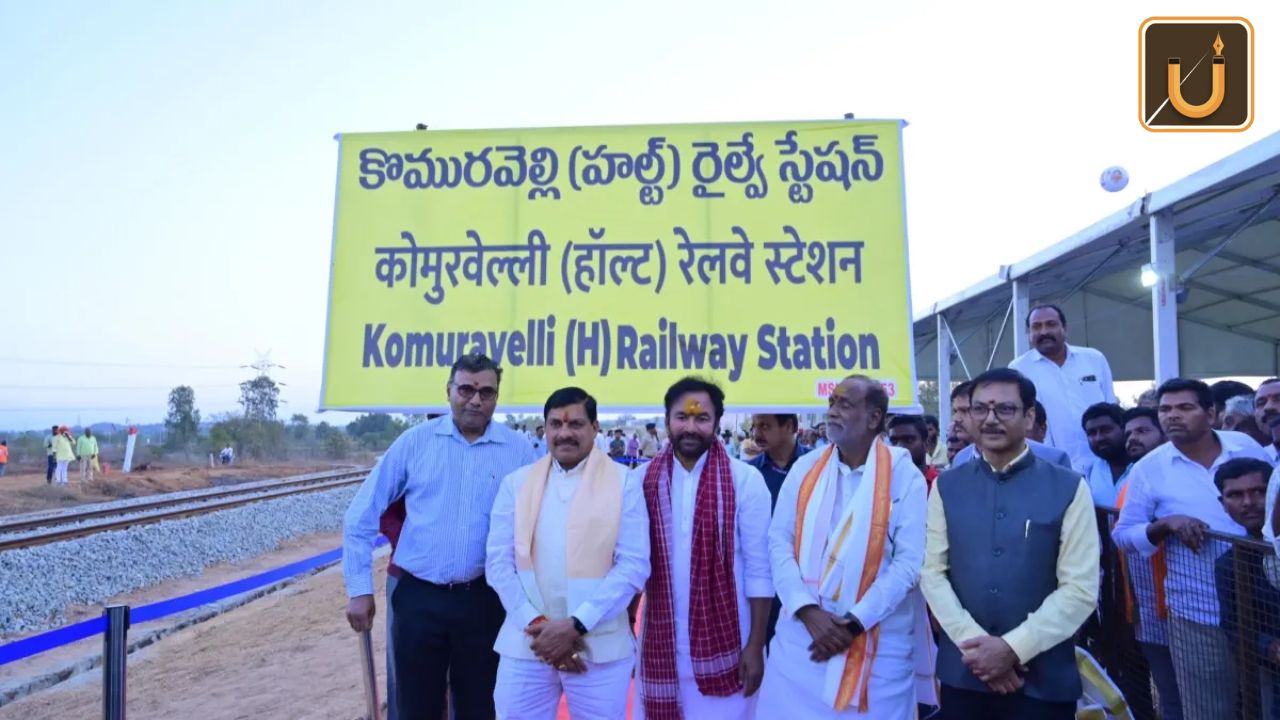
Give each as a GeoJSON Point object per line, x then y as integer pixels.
{"type": "Point", "coordinates": [446, 617]}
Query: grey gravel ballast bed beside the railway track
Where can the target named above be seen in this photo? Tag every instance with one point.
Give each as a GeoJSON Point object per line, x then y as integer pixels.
{"type": "Point", "coordinates": [39, 584]}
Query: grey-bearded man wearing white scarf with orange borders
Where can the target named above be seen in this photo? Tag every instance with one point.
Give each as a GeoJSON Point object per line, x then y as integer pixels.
{"type": "Point", "coordinates": [876, 622]}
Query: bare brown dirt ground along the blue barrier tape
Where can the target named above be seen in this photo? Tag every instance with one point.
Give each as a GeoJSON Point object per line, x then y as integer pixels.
{"type": "Point", "coordinates": [290, 655]}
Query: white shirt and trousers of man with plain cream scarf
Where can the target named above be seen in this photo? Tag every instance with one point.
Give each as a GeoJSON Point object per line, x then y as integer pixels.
{"type": "Point", "coordinates": [527, 687]}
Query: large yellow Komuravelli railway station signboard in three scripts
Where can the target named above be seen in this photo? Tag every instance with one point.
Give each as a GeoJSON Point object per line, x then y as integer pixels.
{"type": "Point", "coordinates": [767, 257]}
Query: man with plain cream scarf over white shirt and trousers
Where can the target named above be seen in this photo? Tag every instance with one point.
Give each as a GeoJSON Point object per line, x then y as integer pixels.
{"type": "Point", "coordinates": [568, 628]}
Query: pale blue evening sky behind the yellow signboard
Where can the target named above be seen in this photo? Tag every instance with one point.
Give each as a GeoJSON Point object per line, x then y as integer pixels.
{"type": "Point", "coordinates": [168, 174]}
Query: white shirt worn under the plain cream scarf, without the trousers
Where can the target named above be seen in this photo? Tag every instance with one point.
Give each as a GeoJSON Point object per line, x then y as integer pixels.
{"type": "Point", "coordinates": [615, 593]}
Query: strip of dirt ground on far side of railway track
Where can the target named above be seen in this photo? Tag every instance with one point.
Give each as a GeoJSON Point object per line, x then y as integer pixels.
{"type": "Point", "coordinates": [29, 493]}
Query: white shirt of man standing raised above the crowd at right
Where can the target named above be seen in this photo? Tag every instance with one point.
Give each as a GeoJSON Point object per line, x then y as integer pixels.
{"type": "Point", "coordinates": [1067, 393]}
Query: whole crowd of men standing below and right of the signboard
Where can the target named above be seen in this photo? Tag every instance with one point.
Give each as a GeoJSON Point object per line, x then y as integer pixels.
{"type": "Point", "coordinates": [871, 569]}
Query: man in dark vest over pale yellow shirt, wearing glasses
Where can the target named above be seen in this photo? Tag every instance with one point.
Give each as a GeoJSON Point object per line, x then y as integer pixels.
{"type": "Point", "coordinates": [1011, 567]}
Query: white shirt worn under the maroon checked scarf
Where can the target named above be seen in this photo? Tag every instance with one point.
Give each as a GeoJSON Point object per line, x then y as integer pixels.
{"type": "Point", "coordinates": [752, 575]}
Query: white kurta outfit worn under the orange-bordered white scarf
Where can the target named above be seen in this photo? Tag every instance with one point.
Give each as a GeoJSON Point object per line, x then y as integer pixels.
{"type": "Point", "coordinates": [902, 672]}
